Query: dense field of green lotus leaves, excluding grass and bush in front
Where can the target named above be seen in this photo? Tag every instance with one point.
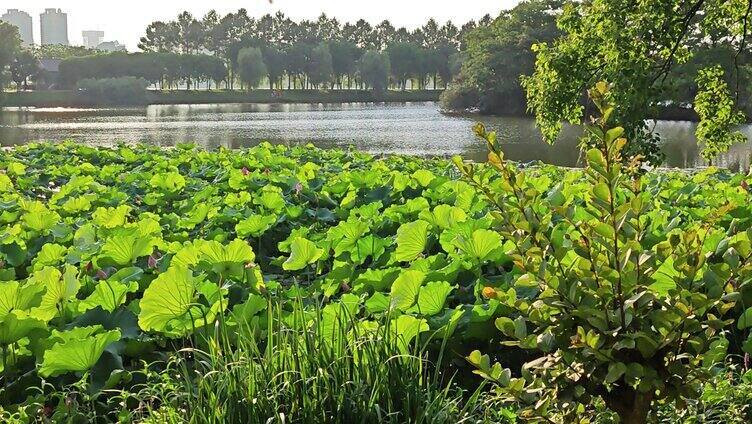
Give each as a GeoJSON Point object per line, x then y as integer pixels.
{"type": "Point", "coordinates": [115, 257]}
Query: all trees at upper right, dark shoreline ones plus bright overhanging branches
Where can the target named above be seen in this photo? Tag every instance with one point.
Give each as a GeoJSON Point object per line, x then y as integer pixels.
{"type": "Point", "coordinates": [543, 55]}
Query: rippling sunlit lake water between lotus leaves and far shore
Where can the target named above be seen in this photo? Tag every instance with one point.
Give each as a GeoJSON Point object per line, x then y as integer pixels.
{"type": "Point", "coordinates": [409, 128]}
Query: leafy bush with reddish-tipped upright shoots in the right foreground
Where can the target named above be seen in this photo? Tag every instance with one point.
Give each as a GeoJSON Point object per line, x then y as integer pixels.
{"type": "Point", "coordinates": [620, 302]}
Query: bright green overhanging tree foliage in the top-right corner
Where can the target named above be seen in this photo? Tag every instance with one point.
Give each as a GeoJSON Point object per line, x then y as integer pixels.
{"type": "Point", "coordinates": [638, 48]}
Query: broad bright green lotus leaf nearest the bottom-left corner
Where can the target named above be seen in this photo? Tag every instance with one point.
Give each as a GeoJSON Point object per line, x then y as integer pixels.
{"type": "Point", "coordinates": [76, 350]}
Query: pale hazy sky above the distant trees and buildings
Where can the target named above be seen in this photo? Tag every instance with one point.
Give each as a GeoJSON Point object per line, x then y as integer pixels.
{"type": "Point", "coordinates": [126, 20]}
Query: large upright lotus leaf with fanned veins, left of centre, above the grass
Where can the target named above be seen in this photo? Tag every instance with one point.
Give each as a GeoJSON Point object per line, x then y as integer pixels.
{"type": "Point", "coordinates": [169, 304]}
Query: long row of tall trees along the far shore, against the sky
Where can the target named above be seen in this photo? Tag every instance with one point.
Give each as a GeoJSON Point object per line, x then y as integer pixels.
{"type": "Point", "coordinates": [315, 54]}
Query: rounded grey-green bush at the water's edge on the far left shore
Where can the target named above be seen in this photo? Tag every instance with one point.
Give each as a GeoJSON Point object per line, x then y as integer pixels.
{"type": "Point", "coordinates": [123, 90]}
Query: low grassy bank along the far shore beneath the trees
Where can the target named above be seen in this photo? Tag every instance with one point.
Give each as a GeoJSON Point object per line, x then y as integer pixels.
{"type": "Point", "coordinates": [69, 98]}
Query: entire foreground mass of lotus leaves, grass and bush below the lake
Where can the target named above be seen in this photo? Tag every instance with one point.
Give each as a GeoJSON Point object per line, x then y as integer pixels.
{"type": "Point", "coordinates": [181, 285]}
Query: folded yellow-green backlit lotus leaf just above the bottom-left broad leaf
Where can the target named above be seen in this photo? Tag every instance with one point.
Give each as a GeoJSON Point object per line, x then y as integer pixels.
{"type": "Point", "coordinates": [59, 287]}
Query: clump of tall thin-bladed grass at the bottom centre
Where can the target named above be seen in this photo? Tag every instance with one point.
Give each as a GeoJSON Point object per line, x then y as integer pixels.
{"type": "Point", "coordinates": [298, 374]}
